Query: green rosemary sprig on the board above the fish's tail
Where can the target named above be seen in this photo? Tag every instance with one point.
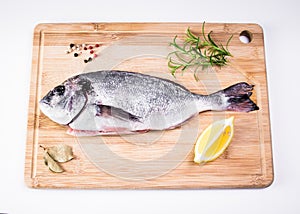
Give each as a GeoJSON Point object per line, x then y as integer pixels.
{"type": "Point", "coordinates": [196, 53]}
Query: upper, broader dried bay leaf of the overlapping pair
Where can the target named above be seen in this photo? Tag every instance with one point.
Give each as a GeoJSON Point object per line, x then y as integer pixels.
{"type": "Point", "coordinates": [61, 153]}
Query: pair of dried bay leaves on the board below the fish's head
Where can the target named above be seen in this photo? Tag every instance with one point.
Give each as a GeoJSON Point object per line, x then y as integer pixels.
{"type": "Point", "coordinates": [57, 154]}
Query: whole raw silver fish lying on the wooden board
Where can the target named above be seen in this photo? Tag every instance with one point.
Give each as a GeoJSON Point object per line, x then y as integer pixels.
{"type": "Point", "coordinates": [120, 102]}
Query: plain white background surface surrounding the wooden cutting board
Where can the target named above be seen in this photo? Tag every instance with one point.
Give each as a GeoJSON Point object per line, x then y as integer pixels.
{"type": "Point", "coordinates": [280, 21]}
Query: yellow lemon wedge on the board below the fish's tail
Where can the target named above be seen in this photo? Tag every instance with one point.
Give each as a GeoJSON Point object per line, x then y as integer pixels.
{"type": "Point", "coordinates": [214, 140]}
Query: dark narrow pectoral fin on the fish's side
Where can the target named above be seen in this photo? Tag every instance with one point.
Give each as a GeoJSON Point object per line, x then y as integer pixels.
{"type": "Point", "coordinates": [110, 111]}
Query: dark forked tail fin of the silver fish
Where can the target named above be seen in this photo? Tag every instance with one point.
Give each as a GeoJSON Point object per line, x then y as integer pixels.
{"type": "Point", "coordinates": [237, 98]}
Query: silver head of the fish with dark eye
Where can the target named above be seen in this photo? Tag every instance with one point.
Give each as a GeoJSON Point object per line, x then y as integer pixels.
{"type": "Point", "coordinates": [64, 102]}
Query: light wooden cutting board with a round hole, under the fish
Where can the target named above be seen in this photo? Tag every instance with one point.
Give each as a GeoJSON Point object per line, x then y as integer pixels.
{"type": "Point", "coordinates": [154, 160]}
